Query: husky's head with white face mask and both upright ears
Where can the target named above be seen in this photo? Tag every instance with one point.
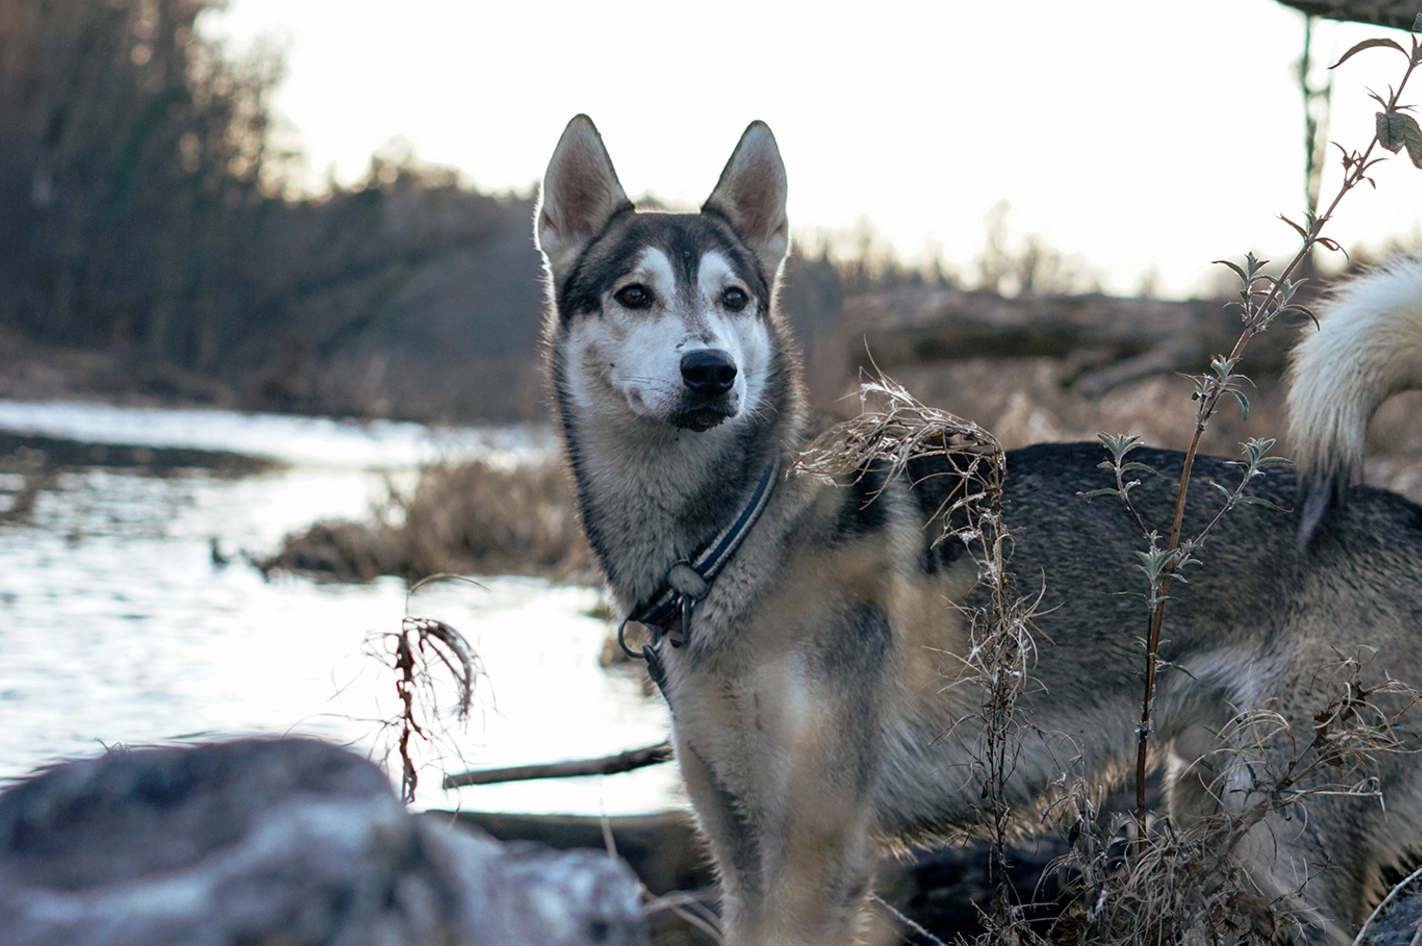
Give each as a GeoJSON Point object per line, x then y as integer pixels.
{"type": "Point", "coordinates": [663, 315]}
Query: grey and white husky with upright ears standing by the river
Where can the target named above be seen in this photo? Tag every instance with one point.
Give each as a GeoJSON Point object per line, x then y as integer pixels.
{"type": "Point", "coordinates": [806, 634]}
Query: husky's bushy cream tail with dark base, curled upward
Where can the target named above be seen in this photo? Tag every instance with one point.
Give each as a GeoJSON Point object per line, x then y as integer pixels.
{"type": "Point", "coordinates": [1369, 348]}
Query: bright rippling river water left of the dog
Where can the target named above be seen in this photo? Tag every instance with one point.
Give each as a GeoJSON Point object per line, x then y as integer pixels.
{"type": "Point", "coordinates": [119, 628]}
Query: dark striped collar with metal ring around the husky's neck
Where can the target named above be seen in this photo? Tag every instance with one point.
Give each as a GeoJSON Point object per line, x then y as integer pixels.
{"type": "Point", "coordinates": [669, 615]}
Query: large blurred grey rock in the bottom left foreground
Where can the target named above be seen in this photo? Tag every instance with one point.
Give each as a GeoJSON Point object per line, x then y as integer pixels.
{"type": "Point", "coordinates": [279, 841]}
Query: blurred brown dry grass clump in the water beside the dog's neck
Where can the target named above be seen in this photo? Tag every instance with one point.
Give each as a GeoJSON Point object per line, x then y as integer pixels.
{"type": "Point", "coordinates": [461, 519]}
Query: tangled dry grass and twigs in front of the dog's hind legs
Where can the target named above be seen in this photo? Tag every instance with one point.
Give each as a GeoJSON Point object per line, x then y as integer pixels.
{"type": "Point", "coordinates": [1185, 883]}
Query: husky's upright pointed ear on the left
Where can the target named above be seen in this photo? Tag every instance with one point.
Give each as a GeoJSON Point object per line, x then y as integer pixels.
{"type": "Point", "coordinates": [581, 194]}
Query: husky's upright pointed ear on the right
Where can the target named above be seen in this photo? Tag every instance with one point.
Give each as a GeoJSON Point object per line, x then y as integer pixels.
{"type": "Point", "coordinates": [752, 194]}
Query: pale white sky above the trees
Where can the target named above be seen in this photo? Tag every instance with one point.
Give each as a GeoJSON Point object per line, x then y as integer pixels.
{"type": "Point", "coordinates": [1134, 134]}
